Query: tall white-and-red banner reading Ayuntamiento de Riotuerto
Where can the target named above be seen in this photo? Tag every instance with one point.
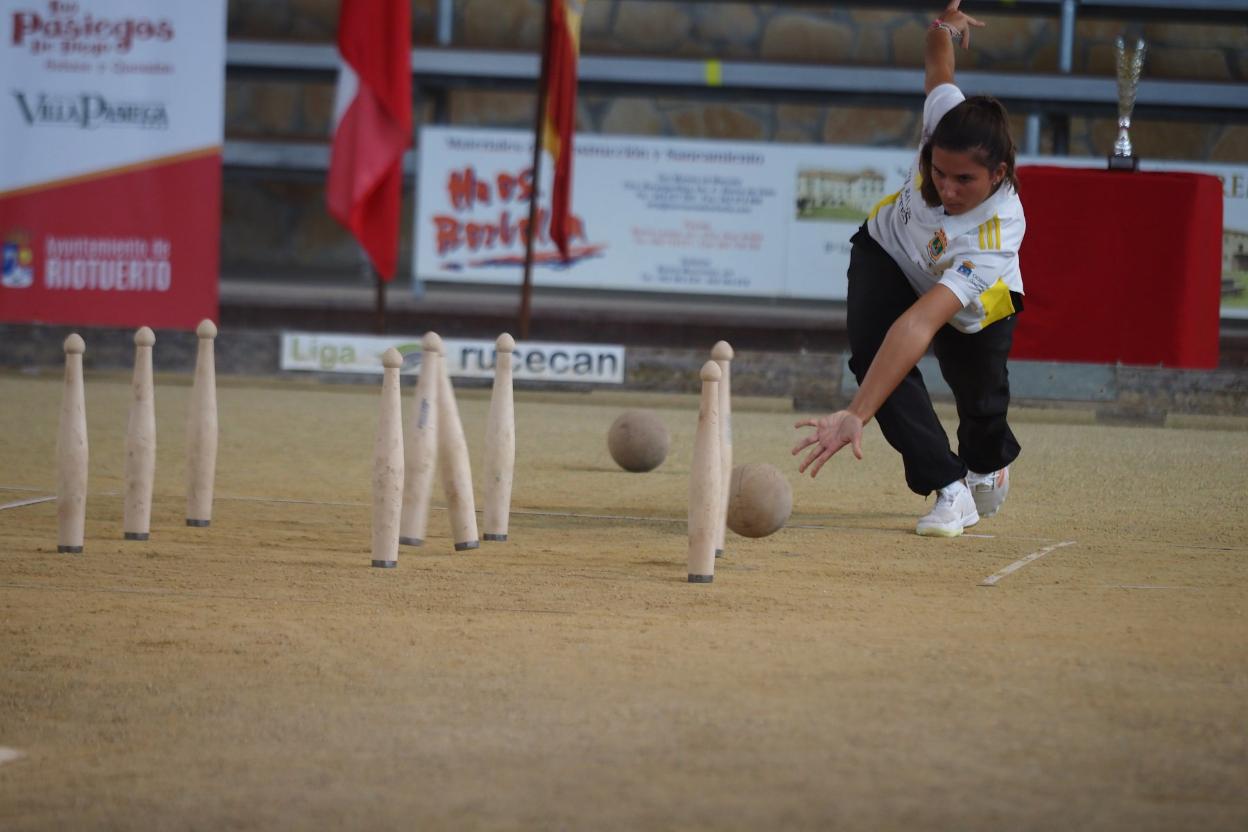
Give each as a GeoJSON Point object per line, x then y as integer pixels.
{"type": "Point", "coordinates": [110, 172]}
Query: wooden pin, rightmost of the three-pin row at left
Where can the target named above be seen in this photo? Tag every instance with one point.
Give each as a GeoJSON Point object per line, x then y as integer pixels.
{"type": "Point", "coordinates": [202, 431]}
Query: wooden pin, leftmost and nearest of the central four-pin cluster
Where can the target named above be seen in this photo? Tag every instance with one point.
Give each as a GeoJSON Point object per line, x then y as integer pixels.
{"type": "Point", "coordinates": [389, 466]}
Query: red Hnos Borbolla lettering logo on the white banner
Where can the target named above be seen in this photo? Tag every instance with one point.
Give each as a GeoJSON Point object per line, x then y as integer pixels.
{"type": "Point", "coordinates": [491, 224]}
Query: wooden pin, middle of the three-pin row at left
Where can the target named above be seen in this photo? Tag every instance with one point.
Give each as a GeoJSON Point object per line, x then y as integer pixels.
{"type": "Point", "coordinates": [140, 470]}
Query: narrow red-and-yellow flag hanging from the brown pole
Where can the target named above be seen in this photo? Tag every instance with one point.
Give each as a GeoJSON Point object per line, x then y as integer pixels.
{"type": "Point", "coordinates": [560, 64]}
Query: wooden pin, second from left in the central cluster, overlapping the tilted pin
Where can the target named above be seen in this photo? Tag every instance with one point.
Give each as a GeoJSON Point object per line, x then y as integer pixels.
{"type": "Point", "coordinates": [421, 445]}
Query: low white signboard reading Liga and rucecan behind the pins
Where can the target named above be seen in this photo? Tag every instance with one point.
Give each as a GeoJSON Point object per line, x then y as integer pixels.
{"type": "Point", "coordinates": [465, 359]}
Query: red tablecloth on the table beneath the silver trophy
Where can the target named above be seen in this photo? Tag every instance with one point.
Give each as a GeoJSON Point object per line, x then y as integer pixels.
{"type": "Point", "coordinates": [1120, 268]}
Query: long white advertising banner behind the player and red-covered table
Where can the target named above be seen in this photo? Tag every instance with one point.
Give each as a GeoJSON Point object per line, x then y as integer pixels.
{"type": "Point", "coordinates": [698, 218]}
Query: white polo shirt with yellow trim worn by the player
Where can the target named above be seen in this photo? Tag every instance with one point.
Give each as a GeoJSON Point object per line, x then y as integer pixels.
{"type": "Point", "coordinates": [974, 254]}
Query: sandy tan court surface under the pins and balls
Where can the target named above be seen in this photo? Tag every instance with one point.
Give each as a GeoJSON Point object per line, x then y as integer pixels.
{"type": "Point", "coordinates": [839, 674]}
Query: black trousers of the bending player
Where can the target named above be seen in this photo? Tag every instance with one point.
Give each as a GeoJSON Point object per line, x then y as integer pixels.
{"type": "Point", "coordinates": [973, 365]}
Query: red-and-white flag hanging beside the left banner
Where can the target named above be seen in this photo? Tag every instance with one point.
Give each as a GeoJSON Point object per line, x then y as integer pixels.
{"type": "Point", "coordinates": [373, 125]}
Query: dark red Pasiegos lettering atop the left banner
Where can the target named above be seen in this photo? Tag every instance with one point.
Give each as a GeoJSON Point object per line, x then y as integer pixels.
{"type": "Point", "coordinates": [66, 31]}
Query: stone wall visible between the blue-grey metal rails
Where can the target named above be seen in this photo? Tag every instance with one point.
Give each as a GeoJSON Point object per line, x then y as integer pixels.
{"type": "Point", "coordinates": [280, 226]}
